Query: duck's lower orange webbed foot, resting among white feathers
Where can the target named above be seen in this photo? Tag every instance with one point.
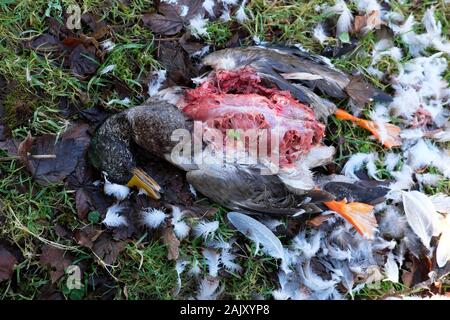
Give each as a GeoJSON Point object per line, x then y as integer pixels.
{"type": "Point", "coordinates": [359, 214]}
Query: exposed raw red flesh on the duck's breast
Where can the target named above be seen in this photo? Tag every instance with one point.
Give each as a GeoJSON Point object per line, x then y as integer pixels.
{"type": "Point", "coordinates": [238, 100]}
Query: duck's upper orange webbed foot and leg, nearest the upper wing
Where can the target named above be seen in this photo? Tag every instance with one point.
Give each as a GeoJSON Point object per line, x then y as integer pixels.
{"type": "Point", "coordinates": [389, 136]}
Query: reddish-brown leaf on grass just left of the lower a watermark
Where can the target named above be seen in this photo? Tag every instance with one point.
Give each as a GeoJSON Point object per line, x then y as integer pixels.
{"type": "Point", "coordinates": [57, 260]}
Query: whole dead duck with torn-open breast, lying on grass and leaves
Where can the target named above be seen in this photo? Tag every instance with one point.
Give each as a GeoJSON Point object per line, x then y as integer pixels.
{"type": "Point", "coordinates": [248, 88]}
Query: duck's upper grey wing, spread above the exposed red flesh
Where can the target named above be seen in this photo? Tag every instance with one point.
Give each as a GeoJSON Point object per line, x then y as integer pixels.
{"type": "Point", "coordinates": [299, 72]}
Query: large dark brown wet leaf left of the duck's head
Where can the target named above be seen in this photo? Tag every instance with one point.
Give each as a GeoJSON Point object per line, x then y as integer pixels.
{"type": "Point", "coordinates": [67, 152]}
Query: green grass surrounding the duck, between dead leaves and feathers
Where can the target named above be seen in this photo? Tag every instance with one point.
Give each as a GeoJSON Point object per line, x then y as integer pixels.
{"type": "Point", "coordinates": [30, 211]}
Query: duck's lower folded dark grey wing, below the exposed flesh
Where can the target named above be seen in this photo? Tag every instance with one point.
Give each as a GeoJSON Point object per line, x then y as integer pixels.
{"type": "Point", "coordinates": [242, 187]}
